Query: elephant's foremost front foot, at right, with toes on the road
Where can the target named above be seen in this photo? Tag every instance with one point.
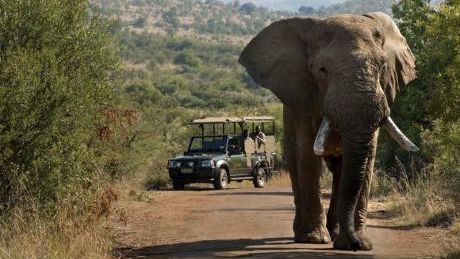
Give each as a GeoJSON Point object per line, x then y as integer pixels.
{"type": "Point", "coordinates": [354, 241]}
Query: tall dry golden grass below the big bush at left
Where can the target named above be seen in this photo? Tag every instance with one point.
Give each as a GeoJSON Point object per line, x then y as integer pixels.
{"type": "Point", "coordinates": [27, 233]}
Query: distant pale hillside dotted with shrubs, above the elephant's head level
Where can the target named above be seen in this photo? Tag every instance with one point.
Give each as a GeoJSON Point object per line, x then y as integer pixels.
{"type": "Point", "coordinates": [211, 19]}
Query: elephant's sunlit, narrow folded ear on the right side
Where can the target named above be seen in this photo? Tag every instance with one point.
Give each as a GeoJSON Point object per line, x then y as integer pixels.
{"type": "Point", "coordinates": [400, 68]}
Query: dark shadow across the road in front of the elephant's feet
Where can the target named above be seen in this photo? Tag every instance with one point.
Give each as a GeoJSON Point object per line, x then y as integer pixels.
{"type": "Point", "coordinates": [270, 248]}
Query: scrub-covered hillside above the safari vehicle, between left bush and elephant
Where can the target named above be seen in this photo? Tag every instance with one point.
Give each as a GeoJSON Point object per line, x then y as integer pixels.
{"type": "Point", "coordinates": [186, 51]}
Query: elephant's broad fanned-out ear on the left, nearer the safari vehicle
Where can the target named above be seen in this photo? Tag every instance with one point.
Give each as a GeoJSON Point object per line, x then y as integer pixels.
{"type": "Point", "coordinates": [277, 58]}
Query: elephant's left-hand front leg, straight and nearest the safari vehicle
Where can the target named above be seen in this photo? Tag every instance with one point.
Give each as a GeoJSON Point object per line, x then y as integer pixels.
{"type": "Point", "coordinates": [305, 169]}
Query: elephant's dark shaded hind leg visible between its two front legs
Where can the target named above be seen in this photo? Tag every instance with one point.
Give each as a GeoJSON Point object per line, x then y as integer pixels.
{"type": "Point", "coordinates": [334, 164]}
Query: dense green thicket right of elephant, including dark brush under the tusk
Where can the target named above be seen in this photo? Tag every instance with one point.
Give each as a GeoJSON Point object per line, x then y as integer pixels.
{"type": "Point", "coordinates": [428, 109]}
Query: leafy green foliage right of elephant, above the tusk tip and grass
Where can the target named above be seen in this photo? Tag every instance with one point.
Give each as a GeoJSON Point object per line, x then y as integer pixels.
{"type": "Point", "coordinates": [431, 102]}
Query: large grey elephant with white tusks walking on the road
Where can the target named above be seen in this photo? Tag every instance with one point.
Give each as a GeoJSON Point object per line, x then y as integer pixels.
{"type": "Point", "coordinates": [336, 78]}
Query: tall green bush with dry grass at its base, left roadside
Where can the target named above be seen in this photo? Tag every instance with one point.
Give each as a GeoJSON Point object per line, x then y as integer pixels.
{"type": "Point", "coordinates": [58, 76]}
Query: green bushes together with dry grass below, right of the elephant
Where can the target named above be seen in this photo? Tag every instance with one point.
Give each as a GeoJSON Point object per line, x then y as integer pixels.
{"type": "Point", "coordinates": [428, 183]}
